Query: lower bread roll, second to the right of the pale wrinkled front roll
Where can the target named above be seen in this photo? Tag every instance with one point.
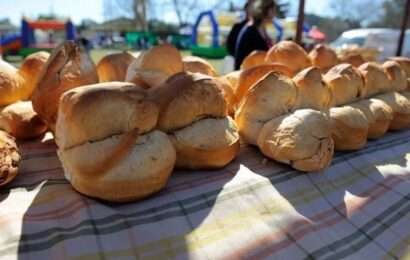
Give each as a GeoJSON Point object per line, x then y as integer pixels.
{"type": "Point", "coordinates": [378, 114]}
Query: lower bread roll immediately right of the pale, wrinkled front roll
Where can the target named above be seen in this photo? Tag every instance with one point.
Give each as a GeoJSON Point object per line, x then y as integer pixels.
{"type": "Point", "coordinates": [349, 128]}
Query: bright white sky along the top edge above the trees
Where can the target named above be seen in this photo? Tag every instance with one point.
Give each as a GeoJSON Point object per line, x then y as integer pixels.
{"type": "Point", "coordinates": [78, 10]}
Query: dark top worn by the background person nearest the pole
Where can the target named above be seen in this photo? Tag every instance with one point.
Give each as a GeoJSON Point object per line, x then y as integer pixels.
{"type": "Point", "coordinates": [249, 40]}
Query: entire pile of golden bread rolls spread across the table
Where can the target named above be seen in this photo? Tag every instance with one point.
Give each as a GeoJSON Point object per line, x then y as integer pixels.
{"type": "Point", "coordinates": [123, 125]}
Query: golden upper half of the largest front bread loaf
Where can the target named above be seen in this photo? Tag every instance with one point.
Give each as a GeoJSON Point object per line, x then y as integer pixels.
{"type": "Point", "coordinates": [84, 112]}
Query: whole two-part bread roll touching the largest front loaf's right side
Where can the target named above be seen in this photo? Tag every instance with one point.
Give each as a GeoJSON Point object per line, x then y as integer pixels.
{"type": "Point", "coordinates": [194, 113]}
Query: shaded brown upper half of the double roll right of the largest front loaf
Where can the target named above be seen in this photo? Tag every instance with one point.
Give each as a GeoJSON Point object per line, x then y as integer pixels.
{"type": "Point", "coordinates": [185, 98]}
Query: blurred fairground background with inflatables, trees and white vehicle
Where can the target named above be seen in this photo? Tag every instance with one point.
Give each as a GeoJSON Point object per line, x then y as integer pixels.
{"type": "Point", "coordinates": [197, 27]}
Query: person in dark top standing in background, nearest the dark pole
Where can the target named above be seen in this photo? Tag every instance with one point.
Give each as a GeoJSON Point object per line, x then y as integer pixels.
{"type": "Point", "coordinates": [253, 35]}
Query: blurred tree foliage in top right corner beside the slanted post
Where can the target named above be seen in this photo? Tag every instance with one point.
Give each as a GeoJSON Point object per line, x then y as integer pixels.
{"type": "Point", "coordinates": [392, 13]}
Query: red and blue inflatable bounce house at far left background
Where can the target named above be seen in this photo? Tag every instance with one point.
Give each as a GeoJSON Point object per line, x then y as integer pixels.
{"type": "Point", "coordinates": [25, 43]}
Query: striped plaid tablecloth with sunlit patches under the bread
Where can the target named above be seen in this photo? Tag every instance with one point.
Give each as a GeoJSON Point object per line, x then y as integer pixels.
{"type": "Point", "coordinates": [359, 208]}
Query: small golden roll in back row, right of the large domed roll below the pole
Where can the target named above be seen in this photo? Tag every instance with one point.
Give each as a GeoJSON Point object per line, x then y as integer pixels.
{"type": "Point", "coordinates": [323, 57]}
